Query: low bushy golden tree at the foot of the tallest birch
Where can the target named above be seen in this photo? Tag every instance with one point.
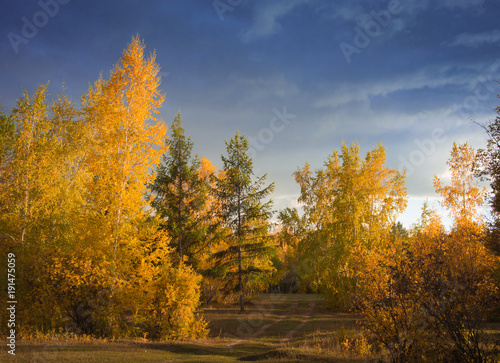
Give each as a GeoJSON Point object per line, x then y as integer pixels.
{"type": "Point", "coordinates": [166, 294]}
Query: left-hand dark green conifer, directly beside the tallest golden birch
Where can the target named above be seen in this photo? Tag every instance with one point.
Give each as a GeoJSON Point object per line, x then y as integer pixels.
{"type": "Point", "coordinates": [180, 193]}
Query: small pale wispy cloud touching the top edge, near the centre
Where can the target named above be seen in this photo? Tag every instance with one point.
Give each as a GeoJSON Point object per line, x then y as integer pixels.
{"type": "Point", "coordinates": [265, 20]}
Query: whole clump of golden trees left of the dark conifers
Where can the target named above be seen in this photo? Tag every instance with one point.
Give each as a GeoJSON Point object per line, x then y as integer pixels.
{"type": "Point", "coordinates": [73, 211]}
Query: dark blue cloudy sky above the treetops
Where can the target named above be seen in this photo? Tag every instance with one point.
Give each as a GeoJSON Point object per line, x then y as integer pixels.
{"type": "Point", "coordinates": [298, 77]}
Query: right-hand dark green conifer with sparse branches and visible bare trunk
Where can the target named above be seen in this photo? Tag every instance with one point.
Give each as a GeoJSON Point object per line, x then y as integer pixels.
{"type": "Point", "coordinates": [242, 211]}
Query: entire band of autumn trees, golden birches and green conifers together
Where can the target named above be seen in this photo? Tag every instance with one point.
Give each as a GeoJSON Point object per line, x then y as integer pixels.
{"type": "Point", "coordinates": [119, 231]}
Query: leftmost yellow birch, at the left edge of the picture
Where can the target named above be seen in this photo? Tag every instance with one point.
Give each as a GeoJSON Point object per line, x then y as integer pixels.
{"type": "Point", "coordinates": [40, 195]}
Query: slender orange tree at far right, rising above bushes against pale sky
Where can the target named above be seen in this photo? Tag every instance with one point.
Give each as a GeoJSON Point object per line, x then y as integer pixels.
{"type": "Point", "coordinates": [471, 265]}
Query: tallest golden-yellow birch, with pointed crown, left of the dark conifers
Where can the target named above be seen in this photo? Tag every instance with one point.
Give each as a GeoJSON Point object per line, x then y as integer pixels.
{"type": "Point", "coordinates": [125, 143]}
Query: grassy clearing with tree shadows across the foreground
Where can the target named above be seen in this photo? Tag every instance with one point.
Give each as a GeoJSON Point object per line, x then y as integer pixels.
{"type": "Point", "coordinates": [275, 328]}
